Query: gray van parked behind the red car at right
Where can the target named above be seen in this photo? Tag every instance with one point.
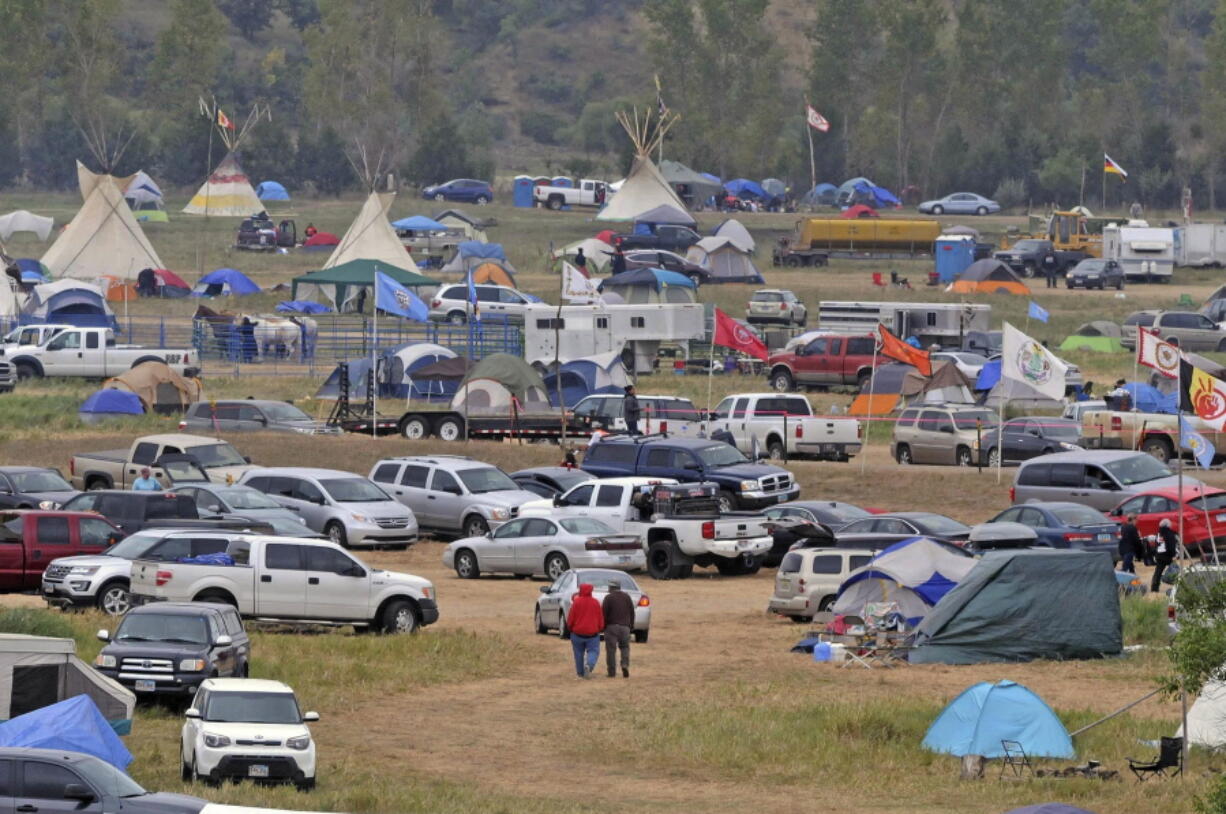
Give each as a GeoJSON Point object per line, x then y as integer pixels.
{"type": "Point", "coordinates": [1097, 479]}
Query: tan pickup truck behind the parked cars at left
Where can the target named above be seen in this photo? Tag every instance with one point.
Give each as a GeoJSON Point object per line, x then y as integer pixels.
{"type": "Point", "coordinates": [118, 469]}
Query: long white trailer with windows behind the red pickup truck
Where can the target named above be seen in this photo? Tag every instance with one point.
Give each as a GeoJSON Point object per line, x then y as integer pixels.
{"type": "Point", "coordinates": [945, 324]}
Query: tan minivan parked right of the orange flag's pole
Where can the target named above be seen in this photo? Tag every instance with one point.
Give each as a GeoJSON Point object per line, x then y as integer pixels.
{"type": "Point", "coordinates": [941, 435]}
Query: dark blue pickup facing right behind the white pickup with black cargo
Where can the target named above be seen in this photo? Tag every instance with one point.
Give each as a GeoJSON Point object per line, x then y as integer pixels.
{"type": "Point", "coordinates": [742, 484]}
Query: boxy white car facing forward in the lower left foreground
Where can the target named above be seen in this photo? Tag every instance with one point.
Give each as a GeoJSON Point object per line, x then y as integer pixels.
{"type": "Point", "coordinates": [248, 728]}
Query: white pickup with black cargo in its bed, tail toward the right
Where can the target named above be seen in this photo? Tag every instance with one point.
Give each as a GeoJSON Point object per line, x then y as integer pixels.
{"type": "Point", "coordinates": [681, 525]}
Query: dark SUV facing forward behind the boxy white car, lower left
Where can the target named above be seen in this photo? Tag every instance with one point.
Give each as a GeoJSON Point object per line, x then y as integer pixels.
{"type": "Point", "coordinates": [171, 648]}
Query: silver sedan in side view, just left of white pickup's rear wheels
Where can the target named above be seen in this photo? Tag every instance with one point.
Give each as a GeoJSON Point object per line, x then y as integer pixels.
{"type": "Point", "coordinates": [529, 546]}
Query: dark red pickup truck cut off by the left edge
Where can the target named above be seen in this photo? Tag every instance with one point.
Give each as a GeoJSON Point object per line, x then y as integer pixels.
{"type": "Point", "coordinates": [30, 540]}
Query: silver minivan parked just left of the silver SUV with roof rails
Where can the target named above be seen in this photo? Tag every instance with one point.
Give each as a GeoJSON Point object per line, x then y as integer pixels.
{"type": "Point", "coordinates": [349, 509]}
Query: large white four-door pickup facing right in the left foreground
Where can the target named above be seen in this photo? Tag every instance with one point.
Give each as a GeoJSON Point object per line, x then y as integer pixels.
{"type": "Point", "coordinates": [294, 580]}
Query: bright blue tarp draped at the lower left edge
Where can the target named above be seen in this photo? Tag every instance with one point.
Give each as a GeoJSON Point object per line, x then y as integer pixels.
{"type": "Point", "coordinates": [73, 725]}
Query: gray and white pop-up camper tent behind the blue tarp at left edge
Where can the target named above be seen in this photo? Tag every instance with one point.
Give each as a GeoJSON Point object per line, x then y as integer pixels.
{"type": "Point", "coordinates": [40, 671]}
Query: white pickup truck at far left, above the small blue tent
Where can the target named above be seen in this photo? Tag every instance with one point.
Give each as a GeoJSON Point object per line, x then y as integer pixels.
{"type": "Point", "coordinates": [94, 354]}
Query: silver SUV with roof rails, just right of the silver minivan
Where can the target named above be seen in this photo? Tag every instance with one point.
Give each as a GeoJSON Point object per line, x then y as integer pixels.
{"type": "Point", "coordinates": [452, 493]}
